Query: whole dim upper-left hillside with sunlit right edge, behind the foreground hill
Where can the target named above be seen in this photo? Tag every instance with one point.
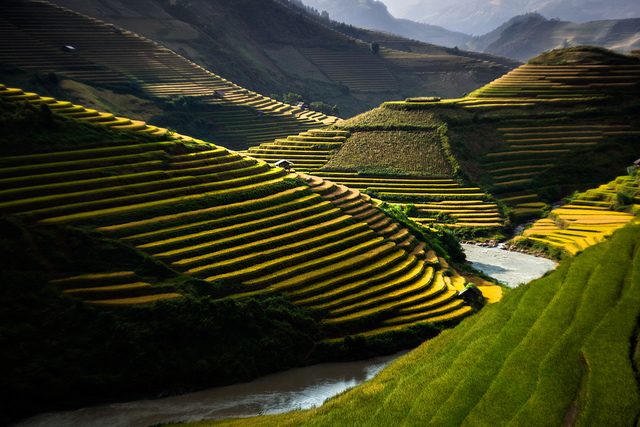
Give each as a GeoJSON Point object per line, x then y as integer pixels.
{"type": "Point", "coordinates": [110, 67]}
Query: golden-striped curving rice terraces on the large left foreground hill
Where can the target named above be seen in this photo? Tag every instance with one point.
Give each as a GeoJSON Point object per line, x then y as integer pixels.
{"type": "Point", "coordinates": [195, 207]}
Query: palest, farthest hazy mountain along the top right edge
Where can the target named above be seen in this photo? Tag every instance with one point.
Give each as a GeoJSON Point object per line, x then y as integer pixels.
{"type": "Point", "coordinates": [481, 16]}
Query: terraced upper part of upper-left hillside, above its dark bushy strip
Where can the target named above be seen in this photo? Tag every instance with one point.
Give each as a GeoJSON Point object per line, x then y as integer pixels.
{"type": "Point", "coordinates": [49, 39]}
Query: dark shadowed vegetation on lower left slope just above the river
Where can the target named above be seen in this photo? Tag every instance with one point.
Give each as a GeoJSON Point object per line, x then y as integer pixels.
{"type": "Point", "coordinates": [60, 353]}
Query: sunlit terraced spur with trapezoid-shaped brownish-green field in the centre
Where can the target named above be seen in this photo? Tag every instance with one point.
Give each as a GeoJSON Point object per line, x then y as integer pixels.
{"type": "Point", "coordinates": [395, 156]}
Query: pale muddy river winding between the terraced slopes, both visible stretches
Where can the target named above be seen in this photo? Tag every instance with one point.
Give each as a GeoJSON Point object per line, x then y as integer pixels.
{"type": "Point", "coordinates": [299, 388]}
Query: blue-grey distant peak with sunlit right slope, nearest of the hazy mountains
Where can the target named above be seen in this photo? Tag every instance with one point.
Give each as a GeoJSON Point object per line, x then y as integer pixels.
{"type": "Point", "coordinates": [526, 36]}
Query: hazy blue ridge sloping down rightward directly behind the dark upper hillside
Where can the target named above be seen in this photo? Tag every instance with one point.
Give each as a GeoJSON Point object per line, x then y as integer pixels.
{"type": "Point", "coordinates": [374, 14]}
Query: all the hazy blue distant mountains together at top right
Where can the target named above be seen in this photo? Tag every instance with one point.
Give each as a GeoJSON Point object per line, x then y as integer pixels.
{"type": "Point", "coordinates": [521, 37]}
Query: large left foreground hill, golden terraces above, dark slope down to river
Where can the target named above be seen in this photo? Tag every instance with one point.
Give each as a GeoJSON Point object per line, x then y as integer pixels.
{"type": "Point", "coordinates": [150, 242]}
